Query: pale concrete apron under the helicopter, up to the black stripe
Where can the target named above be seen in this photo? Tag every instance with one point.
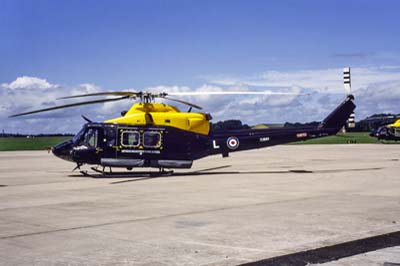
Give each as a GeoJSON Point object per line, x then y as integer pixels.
{"type": "Point", "coordinates": [252, 206]}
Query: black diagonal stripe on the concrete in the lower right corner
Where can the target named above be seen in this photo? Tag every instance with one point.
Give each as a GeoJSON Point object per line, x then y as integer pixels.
{"type": "Point", "coordinates": [335, 252]}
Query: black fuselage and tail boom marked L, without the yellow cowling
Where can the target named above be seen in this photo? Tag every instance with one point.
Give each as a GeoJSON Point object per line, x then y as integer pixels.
{"type": "Point", "coordinates": [129, 146]}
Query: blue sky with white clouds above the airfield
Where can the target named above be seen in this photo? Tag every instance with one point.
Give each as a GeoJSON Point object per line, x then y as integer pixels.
{"type": "Point", "coordinates": [50, 49]}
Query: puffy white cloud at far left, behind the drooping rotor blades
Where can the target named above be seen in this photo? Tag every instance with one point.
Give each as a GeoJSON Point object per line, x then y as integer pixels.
{"type": "Point", "coordinates": [31, 93]}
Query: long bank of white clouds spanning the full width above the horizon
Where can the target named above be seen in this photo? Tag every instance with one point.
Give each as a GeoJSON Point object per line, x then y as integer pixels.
{"type": "Point", "coordinates": [377, 89]}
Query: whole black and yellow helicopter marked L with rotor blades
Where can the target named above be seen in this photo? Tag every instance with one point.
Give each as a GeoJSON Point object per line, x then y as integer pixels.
{"type": "Point", "coordinates": [158, 135]}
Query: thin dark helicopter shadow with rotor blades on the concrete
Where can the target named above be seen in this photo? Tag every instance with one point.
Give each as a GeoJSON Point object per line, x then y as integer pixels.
{"type": "Point", "coordinates": [141, 176]}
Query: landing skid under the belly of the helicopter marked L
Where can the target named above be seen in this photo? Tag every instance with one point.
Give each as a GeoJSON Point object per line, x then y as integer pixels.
{"type": "Point", "coordinates": [110, 174]}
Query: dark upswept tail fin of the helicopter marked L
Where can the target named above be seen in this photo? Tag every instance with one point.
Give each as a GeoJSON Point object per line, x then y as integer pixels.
{"type": "Point", "coordinates": [338, 118]}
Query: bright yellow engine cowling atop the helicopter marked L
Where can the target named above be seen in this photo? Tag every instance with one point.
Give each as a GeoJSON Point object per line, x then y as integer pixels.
{"type": "Point", "coordinates": [160, 114]}
